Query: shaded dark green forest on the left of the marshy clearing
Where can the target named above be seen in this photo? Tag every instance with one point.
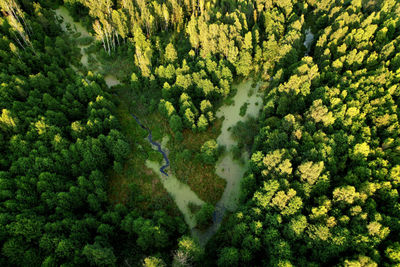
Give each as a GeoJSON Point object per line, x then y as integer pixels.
{"type": "Point", "coordinates": [58, 136]}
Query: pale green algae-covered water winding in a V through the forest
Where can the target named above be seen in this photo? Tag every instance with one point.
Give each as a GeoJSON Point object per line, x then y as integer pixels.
{"type": "Point", "coordinates": [227, 168]}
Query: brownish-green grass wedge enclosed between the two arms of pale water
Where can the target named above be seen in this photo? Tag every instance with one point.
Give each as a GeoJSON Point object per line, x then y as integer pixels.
{"type": "Point", "coordinates": [201, 178]}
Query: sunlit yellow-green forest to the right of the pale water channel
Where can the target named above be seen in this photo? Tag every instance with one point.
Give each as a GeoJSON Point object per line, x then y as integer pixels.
{"type": "Point", "coordinates": [323, 176]}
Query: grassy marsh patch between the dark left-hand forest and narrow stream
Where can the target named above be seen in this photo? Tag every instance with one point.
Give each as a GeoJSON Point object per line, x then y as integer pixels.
{"type": "Point", "coordinates": [137, 183]}
